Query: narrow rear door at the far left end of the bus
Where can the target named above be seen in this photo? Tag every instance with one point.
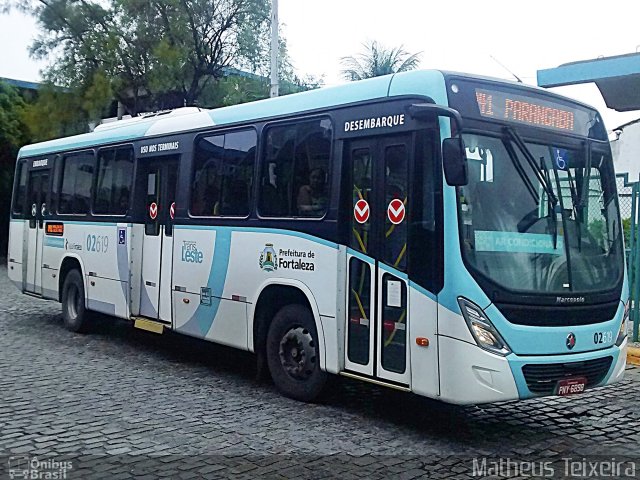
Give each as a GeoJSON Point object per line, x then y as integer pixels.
{"type": "Point", "coordinates": [38, 191]}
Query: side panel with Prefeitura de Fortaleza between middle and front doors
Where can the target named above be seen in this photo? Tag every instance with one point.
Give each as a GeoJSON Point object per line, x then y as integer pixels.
{"type": "Point", "coordinates": [219, 273]}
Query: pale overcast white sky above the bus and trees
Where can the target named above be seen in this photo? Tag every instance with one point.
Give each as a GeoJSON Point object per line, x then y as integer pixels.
{"type": "Point", "coordinates": [461, 35]}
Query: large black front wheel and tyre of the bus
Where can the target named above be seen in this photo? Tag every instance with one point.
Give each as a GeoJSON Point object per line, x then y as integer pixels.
{"type": "Point", "coordinates": [293, 354]}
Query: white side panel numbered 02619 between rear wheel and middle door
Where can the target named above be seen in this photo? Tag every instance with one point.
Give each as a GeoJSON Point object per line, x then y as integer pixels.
{"type": "Point", "coordinates": [104, 249]}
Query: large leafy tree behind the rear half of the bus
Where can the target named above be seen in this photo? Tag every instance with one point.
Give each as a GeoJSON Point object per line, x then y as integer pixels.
{"type": "Point", "coordinates": [155, 53]}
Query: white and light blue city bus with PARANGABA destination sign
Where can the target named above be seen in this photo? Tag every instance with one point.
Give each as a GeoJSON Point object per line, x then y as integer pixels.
{"type": "Point", "coordinates": [444, 234]}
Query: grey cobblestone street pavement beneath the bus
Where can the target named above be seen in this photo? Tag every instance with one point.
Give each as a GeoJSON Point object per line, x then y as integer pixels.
{"type": "Point", "coordinates": [123, 403]}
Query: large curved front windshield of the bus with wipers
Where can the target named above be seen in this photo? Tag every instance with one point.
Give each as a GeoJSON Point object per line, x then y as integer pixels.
{"type": "Point", "coordinates": [537, 217]}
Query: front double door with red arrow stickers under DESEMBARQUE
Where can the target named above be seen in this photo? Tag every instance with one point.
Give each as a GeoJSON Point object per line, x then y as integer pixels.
{"type": "Point", "coordinates": [377, 301]}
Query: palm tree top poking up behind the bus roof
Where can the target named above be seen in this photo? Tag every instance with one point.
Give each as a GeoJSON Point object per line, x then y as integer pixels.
{"type": "Point", "coordinates": [376, 60]}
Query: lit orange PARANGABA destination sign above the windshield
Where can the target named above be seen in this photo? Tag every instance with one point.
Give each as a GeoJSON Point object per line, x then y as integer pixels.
{"type": "Point", "coordinates": [531, 111]}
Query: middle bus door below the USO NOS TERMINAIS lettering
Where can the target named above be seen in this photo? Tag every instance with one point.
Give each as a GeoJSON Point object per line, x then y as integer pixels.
{"type": "Point", "coordinates": [160, 177]}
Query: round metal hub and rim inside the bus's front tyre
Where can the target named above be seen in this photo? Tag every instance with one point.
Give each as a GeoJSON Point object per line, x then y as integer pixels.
{"type": "Point", "coordinates": [298, 353]}
